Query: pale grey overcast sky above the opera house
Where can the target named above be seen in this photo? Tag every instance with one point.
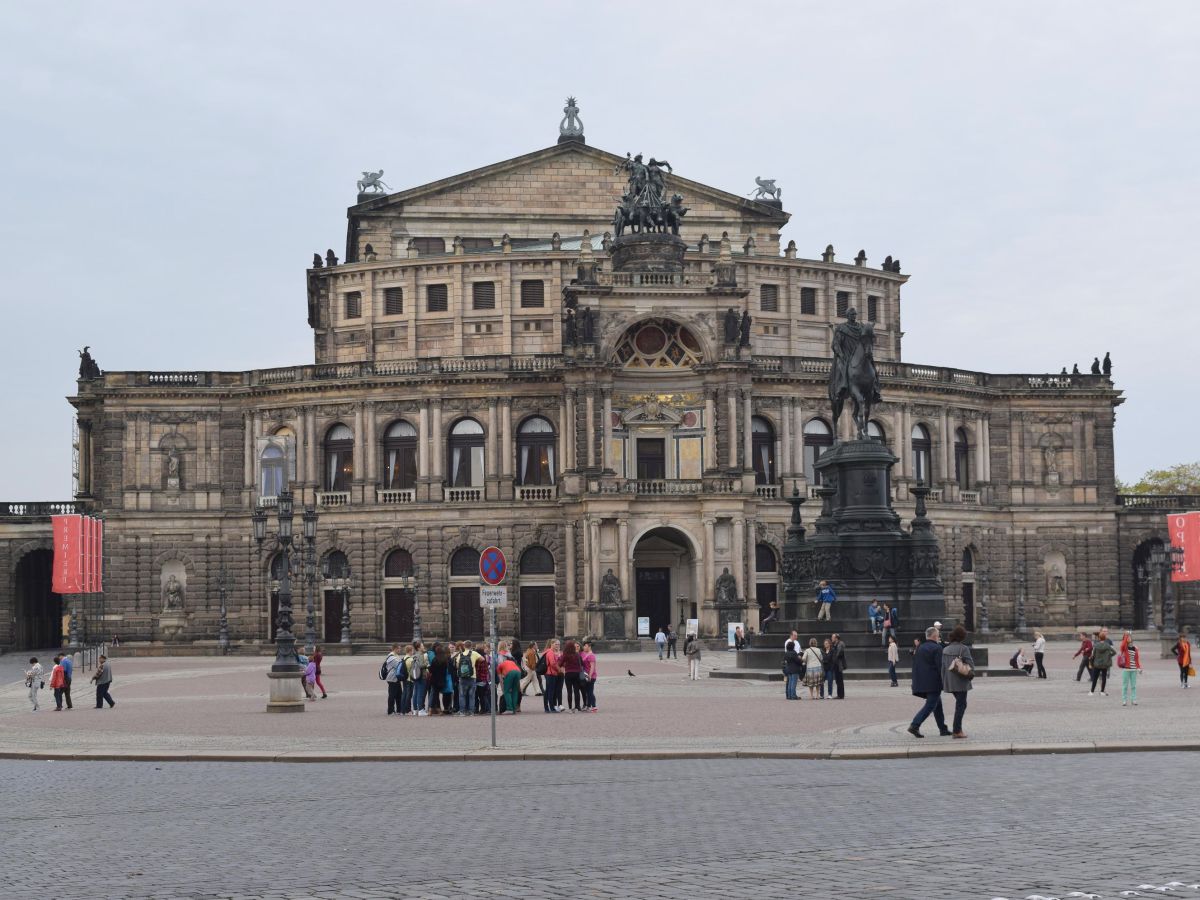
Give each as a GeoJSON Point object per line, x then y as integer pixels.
{"type": "Point", "coordinates": [169, 170]}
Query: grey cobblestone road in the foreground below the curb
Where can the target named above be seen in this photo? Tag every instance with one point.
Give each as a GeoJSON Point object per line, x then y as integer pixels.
{"type": "Point", "coordinates": [959, 829]}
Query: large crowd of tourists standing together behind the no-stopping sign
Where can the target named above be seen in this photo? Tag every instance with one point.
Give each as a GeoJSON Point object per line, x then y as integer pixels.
{"type": "Point", "coordinates": [453, 679]}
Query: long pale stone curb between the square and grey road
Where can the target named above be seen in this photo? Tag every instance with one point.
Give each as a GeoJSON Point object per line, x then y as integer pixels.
{"type": "Point", "coordinates": [883, 753]}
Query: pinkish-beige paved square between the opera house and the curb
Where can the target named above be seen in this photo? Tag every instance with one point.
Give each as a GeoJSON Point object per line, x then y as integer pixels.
{"type": "Point", "coordinates": [214, 705]}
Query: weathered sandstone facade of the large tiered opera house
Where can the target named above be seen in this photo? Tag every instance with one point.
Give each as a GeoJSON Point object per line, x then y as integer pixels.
{"type": "Point", "coordinates": [661, 449]}
